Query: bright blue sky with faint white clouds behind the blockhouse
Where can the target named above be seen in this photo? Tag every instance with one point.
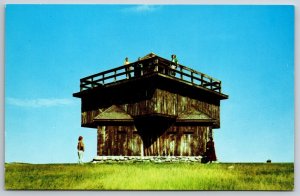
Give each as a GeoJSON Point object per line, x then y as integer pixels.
{"type": "Point", "coordinates": [48, 48]}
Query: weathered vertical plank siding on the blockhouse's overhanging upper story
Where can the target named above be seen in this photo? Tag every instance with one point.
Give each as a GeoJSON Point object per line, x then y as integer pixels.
{"type": "Point", "coordinates": [162, 102]}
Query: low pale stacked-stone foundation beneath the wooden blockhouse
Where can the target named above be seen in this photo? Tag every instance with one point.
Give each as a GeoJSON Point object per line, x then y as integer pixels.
{"type": "Point", "coordinates": [154, 159]}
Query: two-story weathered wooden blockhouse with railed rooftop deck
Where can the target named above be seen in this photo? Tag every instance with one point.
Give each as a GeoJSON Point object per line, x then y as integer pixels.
{"type": "Point", "coordinates": [146, 108]}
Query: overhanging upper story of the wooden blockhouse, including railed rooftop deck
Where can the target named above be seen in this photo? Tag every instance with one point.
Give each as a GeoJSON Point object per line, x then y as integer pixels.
{"type": "Point", "coordinates": [150, 87]}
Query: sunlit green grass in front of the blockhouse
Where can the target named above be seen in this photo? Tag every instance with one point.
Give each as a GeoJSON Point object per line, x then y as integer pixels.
{"type": "Point", "coordinates": [150, 176]}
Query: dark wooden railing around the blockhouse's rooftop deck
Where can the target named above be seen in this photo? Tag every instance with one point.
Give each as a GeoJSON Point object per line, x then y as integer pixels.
{"type": "Point", "coordinates": [150, 66]}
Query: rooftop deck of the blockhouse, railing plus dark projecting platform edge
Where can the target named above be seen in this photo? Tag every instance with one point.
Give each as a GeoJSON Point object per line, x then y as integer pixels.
{"type": "Point", "coordinates": [151, 65]}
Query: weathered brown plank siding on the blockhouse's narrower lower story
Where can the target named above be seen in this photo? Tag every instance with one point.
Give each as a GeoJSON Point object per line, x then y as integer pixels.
{"type": "Point", "coordinates": [176, 141]}
